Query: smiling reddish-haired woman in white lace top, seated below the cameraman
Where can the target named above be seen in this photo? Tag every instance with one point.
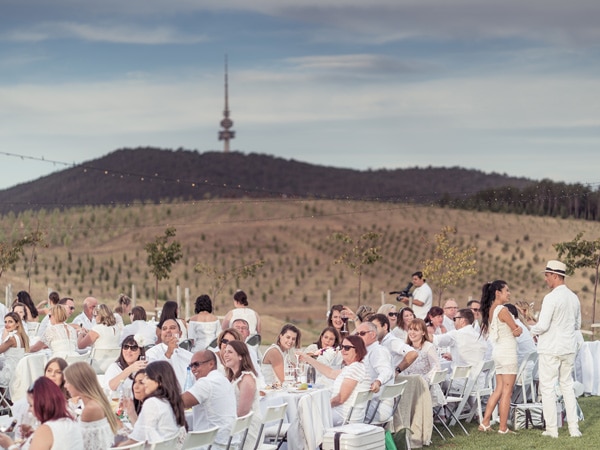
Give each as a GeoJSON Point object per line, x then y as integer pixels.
{"type": "Point", "coordinates": [427, 361]}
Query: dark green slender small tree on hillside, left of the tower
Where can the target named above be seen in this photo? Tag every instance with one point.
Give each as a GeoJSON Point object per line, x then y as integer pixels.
{"type": "Point", "coordinates": [161, 257]}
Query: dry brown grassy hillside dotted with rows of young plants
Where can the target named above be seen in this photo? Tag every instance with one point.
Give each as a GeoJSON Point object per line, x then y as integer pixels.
{"type": "Point", "coordinates": [99, 251]}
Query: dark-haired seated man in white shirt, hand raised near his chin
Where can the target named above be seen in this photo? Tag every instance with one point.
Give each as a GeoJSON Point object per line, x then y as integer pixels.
{"type": "Point", "coordinates": [169, 350]}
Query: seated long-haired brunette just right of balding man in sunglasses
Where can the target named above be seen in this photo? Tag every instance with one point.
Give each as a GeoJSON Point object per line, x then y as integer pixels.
{"type": "Point", "coordinates": [240, 371]}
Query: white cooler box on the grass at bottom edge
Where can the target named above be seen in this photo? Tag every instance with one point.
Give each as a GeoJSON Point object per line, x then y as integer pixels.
{"type": "Point", "coordinates": [354, 436]}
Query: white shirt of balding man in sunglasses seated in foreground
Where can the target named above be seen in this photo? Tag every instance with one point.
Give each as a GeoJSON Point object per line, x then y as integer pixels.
{"type": "Point", "coordinates": [216, 405]}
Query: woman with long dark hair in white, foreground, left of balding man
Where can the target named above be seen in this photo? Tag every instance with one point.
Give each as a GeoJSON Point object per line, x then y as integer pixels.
{"type": "Point", "coordinates": [162, 416]}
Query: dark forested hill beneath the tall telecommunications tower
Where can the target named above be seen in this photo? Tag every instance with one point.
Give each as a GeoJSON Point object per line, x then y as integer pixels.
{"type": "Point", "coordinates": [154, 175]}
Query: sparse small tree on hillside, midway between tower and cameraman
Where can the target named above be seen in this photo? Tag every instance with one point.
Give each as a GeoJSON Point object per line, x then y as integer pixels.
{"type": "Point", "coordinates": [358, 253]}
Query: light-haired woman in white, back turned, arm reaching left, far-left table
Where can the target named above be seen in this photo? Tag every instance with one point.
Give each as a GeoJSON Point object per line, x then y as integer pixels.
{"type": "Point", "coordinates": [59, 337]}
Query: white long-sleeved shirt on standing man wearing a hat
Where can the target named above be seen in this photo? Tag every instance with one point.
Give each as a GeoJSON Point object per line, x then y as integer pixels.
{"type": "Point", "coordinates": [559, 322]}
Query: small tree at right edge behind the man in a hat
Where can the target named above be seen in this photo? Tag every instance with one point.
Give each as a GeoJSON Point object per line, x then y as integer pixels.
{"type": "Point", "coordinates": [578, 254]}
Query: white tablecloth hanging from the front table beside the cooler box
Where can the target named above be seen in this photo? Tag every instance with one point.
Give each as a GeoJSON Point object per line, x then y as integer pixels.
{"type": "Point", "coordinates": [308, 413]}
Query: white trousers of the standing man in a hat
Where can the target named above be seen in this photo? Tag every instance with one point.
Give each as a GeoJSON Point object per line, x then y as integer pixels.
{"type": "Point", "coordinates": [553, 369]}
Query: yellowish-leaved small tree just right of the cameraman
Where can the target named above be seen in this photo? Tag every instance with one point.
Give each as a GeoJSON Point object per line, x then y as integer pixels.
{"type": "Point", "coordinates": [450, 263]}
